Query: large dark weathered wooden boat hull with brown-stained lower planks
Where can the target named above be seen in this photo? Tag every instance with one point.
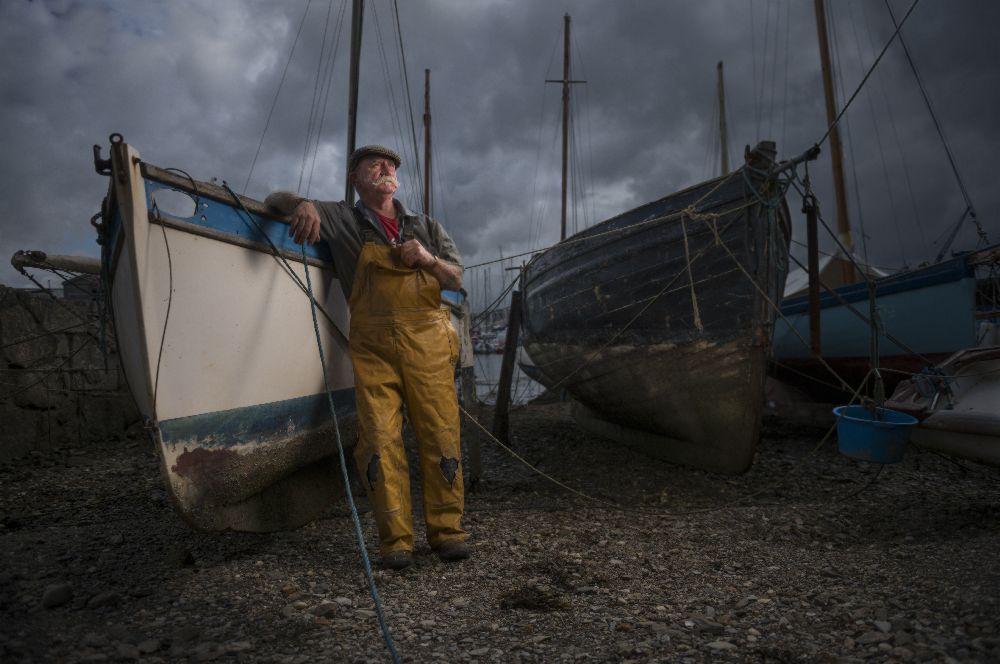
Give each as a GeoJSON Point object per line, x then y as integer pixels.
{"type": "Point", "coordinates": [659, 321]}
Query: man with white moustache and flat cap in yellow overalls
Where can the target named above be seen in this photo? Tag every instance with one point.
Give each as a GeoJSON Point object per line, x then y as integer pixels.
{"type": "Point", "coordinates": [392, 264]}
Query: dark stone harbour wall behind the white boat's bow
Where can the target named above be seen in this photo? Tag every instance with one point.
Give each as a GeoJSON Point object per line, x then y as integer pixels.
{"type": "Point", "coordinates": [58, 388]}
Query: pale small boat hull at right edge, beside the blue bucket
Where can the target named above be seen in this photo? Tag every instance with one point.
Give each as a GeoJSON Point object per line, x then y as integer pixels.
{"type": "Point", "coordinates": [958, 405]}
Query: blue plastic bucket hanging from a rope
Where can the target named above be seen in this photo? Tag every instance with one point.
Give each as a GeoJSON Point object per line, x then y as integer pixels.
{"type": "Point", "coordinates": [879, 437]}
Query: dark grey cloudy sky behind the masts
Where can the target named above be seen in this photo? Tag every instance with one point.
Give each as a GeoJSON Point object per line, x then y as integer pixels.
{"type": "Point", "coordinates": [192, 85]}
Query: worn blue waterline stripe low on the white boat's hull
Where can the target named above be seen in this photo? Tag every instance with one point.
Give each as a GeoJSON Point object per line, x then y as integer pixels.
{"type": "Point", "coordinates": [238, 426]}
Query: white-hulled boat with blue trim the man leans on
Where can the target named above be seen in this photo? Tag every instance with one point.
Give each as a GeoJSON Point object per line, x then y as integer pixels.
{"type": "Point", "coordinates": [218, 347]}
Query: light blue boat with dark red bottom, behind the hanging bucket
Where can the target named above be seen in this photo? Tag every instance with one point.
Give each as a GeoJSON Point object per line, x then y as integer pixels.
{"type": "Point", "coordinates": [925, 315]}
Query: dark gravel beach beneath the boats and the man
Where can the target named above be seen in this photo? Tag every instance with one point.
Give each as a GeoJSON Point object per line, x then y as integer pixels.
{"type": "Point", "coordinates": [810, 556]}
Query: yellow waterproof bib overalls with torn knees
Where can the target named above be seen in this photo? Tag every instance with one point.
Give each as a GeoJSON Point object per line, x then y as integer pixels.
{"type": "Point", "coordinates": [404, 350]}
